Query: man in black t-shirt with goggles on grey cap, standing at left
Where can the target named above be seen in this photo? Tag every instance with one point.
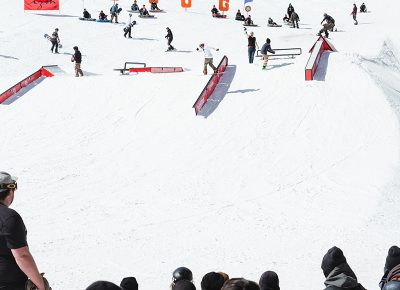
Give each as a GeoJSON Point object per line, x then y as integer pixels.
{"type": "Point", "coordinates": [16, 261]}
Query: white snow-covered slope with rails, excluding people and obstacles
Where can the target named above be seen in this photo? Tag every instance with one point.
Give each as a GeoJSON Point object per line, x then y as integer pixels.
{"type": "Point", "coordinates": [118, 177]}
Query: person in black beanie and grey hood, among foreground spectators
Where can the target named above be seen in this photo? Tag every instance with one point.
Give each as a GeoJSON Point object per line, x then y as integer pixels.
{"type": "Point", "coordinates": [338, 274]}
